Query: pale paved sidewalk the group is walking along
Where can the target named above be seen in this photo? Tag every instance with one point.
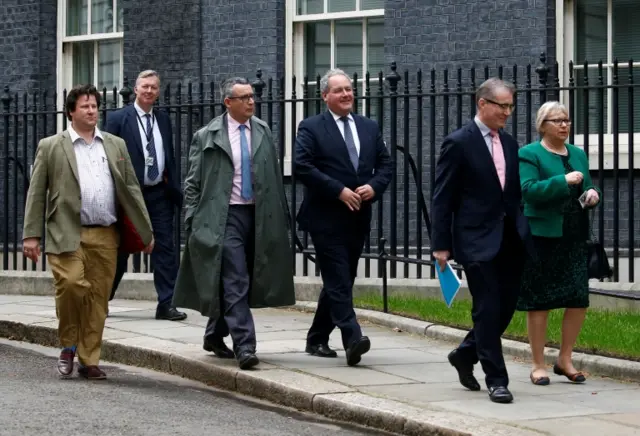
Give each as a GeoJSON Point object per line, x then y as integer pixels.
{"type": "Point", "coordinates": [401, 369]}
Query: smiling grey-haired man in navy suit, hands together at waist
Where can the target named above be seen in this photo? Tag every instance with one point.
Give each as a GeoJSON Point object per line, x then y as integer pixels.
{"type": "Point", "coordinates": [344, 164]}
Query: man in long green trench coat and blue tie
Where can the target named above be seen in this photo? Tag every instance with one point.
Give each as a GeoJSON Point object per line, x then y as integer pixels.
{"type": "Point", "coordinates": [237, 255]}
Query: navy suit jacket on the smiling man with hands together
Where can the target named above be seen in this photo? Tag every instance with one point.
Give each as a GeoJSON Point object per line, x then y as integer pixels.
{"type": "Point", "coordinates": [322, 164]}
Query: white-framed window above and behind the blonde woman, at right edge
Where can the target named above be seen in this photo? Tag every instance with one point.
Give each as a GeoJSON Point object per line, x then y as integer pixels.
{"type": "Point", "coordinates": [603, 30]}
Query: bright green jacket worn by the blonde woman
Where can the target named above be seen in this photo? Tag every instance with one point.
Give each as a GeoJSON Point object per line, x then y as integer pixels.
{"type": "Point", "coordinates": [544, 187]}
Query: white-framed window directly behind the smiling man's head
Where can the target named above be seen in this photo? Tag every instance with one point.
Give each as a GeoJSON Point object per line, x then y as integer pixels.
{"type": "Point", "coordinates": [345, 34]}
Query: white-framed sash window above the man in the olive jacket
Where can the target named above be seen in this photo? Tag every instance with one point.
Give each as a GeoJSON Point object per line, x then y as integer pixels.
{"type": "Point", "coordinates": [90, 43]}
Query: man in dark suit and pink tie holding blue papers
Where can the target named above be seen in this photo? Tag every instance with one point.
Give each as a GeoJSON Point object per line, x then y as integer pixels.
{"type": "Point", "coordinates": [477, 220]}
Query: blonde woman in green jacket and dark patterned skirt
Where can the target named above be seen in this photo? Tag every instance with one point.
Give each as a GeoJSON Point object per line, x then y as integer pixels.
{"type": "Point", "coordinates": [557, 191]}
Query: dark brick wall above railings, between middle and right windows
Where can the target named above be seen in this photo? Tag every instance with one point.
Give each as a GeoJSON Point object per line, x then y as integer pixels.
{"type": "Point", "coordinates": [463, 33]}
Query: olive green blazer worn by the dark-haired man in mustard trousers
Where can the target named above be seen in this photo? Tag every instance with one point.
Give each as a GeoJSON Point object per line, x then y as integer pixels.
{"type": "Point", "coordinates": [55, 186]}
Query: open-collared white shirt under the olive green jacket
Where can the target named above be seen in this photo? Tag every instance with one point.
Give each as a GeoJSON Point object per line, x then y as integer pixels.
{"type": "Point", "coordinates": [97, 189]}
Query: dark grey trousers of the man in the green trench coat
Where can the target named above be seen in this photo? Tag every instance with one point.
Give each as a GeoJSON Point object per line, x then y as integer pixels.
{"type": "Point", "coordinates": [237, 263]}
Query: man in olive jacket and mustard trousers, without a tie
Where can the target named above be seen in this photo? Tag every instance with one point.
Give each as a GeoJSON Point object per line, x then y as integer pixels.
{"type": "Point", "coordinates": [83, 179]}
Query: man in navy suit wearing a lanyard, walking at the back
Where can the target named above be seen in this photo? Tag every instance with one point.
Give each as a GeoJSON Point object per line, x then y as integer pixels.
{"type": "Point", "coordinates": [149, 138]}
